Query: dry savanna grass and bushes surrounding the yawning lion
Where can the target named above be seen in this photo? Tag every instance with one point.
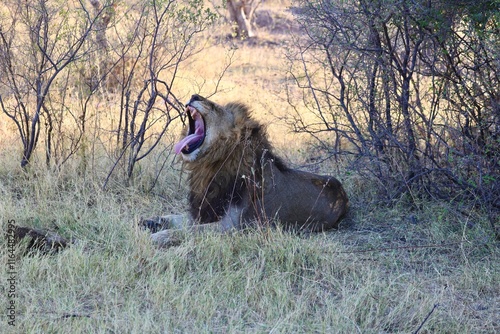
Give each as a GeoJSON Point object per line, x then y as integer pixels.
{"type": "Point", "coordinates": [398, 99]}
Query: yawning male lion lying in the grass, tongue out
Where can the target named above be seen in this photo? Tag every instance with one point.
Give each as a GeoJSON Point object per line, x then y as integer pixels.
{"type": "Point", "coordinates": [236, 181]}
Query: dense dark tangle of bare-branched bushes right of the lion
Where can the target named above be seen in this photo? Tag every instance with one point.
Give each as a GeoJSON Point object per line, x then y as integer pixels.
{"type": "Point", "coordinates": [407, 90]}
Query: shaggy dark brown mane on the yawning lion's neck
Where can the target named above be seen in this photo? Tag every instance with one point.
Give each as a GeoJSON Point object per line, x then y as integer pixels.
{"type": "Point", "coordinates": [221, 178]}
